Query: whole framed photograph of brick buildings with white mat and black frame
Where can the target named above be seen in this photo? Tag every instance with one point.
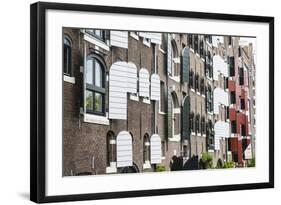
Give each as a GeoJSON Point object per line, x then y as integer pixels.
{"type": "Point", "coordinates": [129, 102]}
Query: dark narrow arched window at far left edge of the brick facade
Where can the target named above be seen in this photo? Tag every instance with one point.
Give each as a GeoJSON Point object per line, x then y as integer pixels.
{"type": "Point", "coordinates": [67, 56]}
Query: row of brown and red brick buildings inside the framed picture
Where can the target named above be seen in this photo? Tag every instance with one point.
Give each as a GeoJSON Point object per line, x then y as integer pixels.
{"type": "Point", "coordinates": [137, 101]}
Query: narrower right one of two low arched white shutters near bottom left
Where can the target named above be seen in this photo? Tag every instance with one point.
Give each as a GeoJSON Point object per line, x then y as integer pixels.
{"type": "Point", "coordinates": [155, 146]}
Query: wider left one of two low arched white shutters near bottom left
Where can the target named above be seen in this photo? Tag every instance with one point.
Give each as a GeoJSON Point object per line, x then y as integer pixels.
{"type": "Point", "coordinates": [124, 149]}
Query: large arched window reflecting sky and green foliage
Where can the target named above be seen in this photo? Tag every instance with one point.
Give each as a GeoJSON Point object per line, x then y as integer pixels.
{"type": "Point", "coordinates": [95, 85]}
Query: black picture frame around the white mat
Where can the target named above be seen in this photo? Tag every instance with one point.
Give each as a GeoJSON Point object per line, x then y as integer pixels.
{"type": "Point", "coordinates": [38, 100]}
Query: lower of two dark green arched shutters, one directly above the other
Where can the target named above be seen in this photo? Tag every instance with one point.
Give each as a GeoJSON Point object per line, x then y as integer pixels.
{"type": "Point", "coordinates": [185, 118]}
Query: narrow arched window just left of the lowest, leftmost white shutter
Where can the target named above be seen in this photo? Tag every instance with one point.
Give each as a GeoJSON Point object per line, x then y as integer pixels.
{"type": "Point", "coordinates": [111, 149]}
